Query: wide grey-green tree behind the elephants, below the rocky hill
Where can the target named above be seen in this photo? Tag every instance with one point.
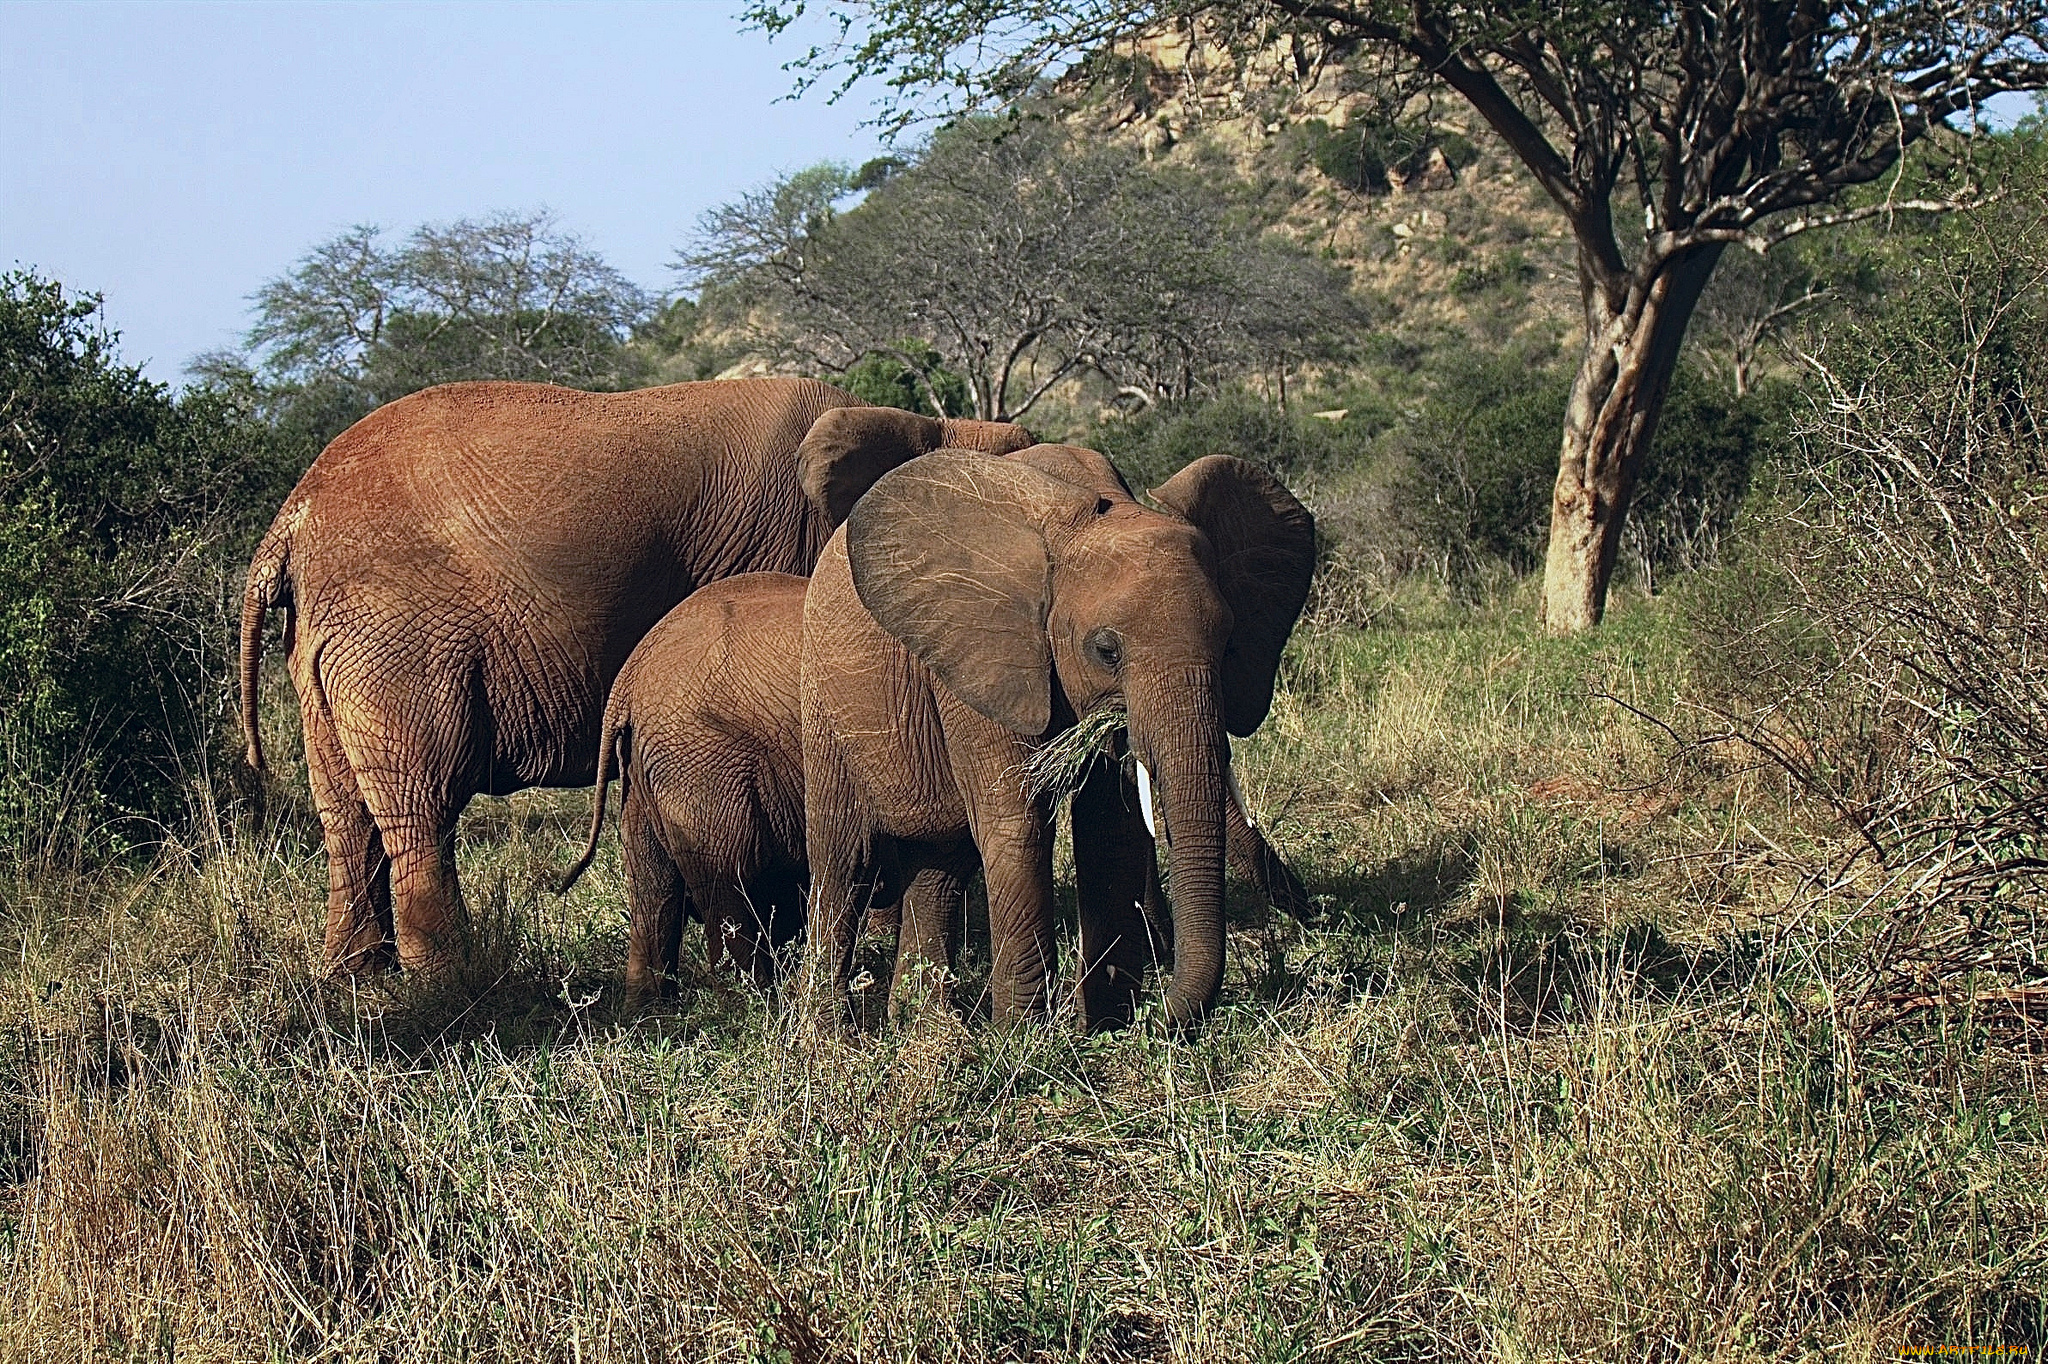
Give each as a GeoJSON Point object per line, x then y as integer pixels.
{"type": "Point", "coordinates": [1021, 259]}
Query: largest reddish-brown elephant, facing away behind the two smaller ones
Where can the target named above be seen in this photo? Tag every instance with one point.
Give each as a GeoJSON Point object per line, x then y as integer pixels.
{"type": "Point", "coordinates": [468, 568]}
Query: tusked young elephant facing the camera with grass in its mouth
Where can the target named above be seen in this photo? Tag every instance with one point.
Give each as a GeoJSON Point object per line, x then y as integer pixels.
{"type": "Point", "coordinates": [966, 613]}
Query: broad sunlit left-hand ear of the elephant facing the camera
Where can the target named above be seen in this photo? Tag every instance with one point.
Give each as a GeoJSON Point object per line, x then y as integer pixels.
{"type": "Point", "coordinates": [949, 556]}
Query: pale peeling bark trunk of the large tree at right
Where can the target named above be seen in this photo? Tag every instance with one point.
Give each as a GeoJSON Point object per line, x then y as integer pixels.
{"type": "Point", "coordinates": [1617, 398]}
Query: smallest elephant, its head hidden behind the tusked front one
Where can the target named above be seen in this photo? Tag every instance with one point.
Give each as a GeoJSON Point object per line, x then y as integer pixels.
{"type": "Point", "coordinates": [703, 734]}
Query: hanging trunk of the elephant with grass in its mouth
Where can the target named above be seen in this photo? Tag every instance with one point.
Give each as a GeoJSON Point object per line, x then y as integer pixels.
{"type": "Point", "coordinates": [1179, 736]}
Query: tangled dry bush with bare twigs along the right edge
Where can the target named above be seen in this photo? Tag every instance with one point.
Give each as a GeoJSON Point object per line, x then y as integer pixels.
{"type": "Point", "coordinates": [1887, 644]}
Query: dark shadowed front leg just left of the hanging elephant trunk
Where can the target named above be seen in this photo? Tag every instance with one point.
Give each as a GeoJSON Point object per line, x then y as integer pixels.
{"type": "Point", "coordinates": [1113, 878]}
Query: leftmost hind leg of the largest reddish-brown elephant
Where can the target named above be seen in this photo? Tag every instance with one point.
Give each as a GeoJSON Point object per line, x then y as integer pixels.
{"type": "Point", "coordinates": [359, 873]}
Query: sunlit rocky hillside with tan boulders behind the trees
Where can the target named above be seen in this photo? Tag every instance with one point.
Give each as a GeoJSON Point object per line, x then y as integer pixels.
{"type": "Point", "coordinates": [1443, 228]}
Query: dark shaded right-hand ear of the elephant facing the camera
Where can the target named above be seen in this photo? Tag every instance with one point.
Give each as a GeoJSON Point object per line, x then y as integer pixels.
{"type": "Point", "coordinates": [1265, 542]}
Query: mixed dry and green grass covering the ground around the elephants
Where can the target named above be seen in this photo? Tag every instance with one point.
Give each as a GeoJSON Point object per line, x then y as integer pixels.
{"type": "Point", "coordinates": [1558, 1078]}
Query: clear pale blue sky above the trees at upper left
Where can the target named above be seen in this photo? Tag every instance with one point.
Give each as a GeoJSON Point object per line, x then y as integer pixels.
{"type": "Point", "coordinates": [177, 157]}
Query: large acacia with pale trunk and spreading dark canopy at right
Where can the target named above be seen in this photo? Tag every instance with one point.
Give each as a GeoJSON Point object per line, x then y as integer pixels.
{"type": "Point", "coordinates": [1711, 124]}
